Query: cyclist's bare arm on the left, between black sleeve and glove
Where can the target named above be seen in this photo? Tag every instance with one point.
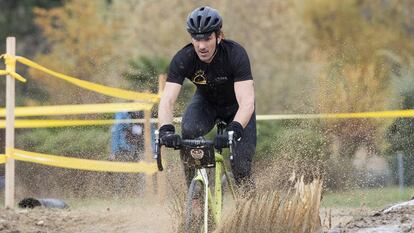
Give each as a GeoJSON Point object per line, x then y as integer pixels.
{"type": "Point", "coordinates": [168, 99]}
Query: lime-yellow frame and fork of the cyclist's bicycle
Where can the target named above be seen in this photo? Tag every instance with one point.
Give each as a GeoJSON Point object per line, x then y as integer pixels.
{"type": "Point", "coordinates": [214, 202]}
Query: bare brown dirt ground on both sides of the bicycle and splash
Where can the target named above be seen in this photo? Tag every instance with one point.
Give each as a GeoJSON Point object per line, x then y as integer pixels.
{"type": "Point", "coordinates": [148, 215]}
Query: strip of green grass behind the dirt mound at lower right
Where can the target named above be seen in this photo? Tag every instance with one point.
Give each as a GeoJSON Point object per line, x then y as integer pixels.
{"type": "Point", "coordinates": [376, 198]}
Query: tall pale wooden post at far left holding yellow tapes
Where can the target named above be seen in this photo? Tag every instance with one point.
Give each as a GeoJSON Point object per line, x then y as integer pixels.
{"type": "Point", "coordinates": [10, 104]}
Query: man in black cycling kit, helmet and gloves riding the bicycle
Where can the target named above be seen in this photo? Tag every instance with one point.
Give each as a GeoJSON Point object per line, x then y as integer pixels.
{"type": "Point", "coordinates": [220, 69]}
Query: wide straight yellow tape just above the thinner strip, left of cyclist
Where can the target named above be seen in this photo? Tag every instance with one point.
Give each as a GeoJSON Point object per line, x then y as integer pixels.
{"type": "Point", "coordinates": [77, 109]}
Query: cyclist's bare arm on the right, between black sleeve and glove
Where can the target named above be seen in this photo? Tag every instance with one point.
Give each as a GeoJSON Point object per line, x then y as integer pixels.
{"type": "Point", "coordinates": [245, 98]}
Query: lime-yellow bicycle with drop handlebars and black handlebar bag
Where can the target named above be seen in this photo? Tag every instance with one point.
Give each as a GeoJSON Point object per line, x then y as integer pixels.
{"type": "Point", "coordinates": [203, 157]}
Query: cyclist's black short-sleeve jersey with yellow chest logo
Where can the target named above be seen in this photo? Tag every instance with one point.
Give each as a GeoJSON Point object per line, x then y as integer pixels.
{"type": "Point", "coordinates": [214, 80]}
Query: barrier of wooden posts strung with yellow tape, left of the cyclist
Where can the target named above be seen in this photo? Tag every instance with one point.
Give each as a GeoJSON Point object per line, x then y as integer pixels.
{"type": "Point", "coordinates": [143, 101]}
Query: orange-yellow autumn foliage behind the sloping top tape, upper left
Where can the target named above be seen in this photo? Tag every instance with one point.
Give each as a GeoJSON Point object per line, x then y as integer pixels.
{"type": "Point", "coordinates": [82, 36]}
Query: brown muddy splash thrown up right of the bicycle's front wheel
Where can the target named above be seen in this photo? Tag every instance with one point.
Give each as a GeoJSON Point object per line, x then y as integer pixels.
{"type": "Point", "coordinates": [296, 210]}
